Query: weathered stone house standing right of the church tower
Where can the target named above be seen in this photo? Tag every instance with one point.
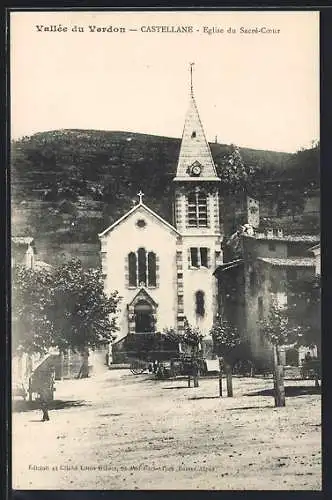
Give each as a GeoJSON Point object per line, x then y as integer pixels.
{"type": "Point", "coordinates": [271, 262]}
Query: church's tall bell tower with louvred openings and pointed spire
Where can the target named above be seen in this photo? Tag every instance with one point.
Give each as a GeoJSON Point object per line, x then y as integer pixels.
{"type": "Point", "coordinates": [197, 218]}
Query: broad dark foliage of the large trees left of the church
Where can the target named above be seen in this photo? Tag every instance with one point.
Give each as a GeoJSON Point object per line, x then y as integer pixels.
{"type": "Point", "coordinates": [66, 308]}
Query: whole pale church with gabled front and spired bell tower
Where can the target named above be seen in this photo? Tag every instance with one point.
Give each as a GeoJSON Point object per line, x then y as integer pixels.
{"type": "Point", "coordinates": [164, 272]}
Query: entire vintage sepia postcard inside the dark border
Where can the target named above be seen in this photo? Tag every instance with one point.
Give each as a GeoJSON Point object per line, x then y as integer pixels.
{"type": "Point", "coordinates": [165, 250]}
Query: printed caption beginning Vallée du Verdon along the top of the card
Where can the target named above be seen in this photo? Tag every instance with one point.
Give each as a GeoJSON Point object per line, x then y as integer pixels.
{"type": "Point", "coordinates": [167, 29]}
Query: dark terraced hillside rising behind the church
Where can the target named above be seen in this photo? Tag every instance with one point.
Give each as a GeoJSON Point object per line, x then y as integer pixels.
{"type": "Point", "coordinates": [68, 185]}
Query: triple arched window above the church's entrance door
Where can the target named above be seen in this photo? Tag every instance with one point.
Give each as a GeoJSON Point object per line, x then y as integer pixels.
{"type": "Point", "coordinates": [142, 268]}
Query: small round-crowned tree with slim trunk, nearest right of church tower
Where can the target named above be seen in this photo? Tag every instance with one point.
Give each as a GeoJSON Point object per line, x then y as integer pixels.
{"type": "Point", "coordinates": [225, 338]}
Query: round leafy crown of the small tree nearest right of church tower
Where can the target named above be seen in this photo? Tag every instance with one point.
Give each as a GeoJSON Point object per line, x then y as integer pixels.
{"type": "Point", "coordinates": [225, 337]}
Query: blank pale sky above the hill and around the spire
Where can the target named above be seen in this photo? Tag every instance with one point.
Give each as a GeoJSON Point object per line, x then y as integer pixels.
{"type": "Point", "coordinates": [258, 90]}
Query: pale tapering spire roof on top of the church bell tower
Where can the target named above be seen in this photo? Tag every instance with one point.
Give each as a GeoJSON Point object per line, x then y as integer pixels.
{"type": "Point", "coordinates": [194, 148]}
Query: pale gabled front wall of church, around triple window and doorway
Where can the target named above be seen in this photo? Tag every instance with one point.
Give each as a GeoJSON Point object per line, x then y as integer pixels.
{"type": "Point", "coordinates": [128, 237]}
